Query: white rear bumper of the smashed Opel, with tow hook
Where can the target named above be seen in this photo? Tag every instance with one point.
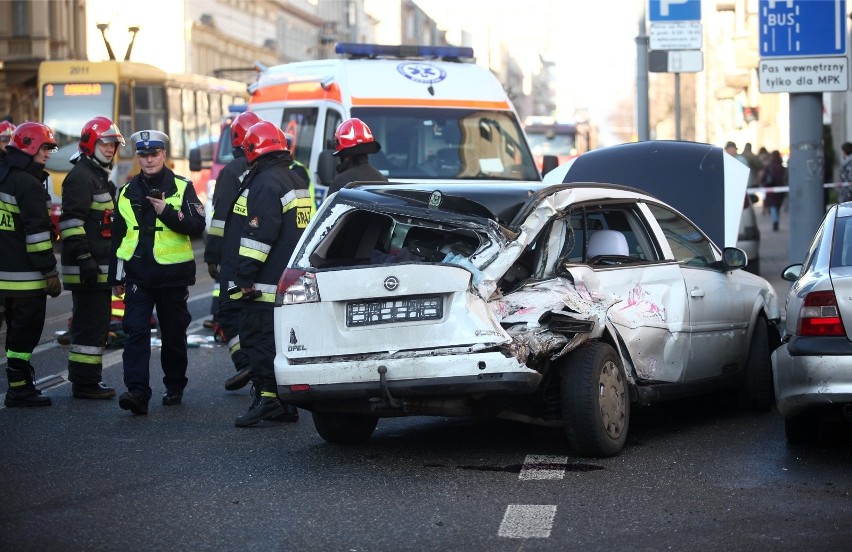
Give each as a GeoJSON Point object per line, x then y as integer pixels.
{"type": "Point", "coordinates": [434, 376]}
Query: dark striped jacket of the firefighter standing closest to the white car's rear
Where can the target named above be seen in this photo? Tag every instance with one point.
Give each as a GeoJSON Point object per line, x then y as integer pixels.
{"type": "Point", "coordinates": [278, 210]}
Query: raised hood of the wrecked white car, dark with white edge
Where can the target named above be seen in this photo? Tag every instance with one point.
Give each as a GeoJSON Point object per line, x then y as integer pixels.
{"type": "Point", "coordinates": [702, 181]}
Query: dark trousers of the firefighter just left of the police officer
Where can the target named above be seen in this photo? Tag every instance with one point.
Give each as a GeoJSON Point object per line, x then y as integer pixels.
{"type": "Point", "coordinates": [89, 331]}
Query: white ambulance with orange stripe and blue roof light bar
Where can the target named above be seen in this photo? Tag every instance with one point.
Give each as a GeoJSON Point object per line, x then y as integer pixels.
{"type": "Point", "coordinates": [436, 113]}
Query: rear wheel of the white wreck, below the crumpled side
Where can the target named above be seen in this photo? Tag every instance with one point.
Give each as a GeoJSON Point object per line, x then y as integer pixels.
{"type": "Point", "coordinates": [595, 400]}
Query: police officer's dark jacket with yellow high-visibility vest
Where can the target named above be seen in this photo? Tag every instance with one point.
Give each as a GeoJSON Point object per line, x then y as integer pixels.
{"type": "Point", "coordinates": [150, 250]}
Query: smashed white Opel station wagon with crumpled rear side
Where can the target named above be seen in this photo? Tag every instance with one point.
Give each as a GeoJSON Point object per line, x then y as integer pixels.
{"type": "Point", "coordinates": [555, 304]}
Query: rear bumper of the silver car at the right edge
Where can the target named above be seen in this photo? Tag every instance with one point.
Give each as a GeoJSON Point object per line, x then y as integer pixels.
{"type": "Point", "coordinates": [806, 381]}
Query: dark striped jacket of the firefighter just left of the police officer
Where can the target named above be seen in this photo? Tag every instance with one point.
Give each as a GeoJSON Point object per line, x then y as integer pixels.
{"type": "Point", "coordinates": [85, 222]}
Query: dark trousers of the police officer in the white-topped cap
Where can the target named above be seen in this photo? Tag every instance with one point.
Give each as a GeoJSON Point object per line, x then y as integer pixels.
{"type": "Point", "coordinates": [173, 316]}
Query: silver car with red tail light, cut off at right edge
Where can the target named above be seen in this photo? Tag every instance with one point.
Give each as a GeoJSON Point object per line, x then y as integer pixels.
{"type": "Point", "coordinates": [813, 367]}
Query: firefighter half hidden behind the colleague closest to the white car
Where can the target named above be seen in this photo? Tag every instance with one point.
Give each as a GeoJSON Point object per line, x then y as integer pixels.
{"type": "Point", "coordinates": [222, 270]}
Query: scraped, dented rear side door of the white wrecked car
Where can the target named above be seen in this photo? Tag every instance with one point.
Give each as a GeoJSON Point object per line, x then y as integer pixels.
{"type": "Point", "coordinates": [614, 258]}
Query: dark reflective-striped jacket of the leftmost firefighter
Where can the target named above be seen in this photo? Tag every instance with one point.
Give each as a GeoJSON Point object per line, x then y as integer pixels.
{"type": "Point", "coordinates": [26, 232]}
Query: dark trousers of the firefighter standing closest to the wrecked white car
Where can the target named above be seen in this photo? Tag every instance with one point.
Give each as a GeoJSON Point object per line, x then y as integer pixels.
{"type": "Point", "coordinates": [257, 339]}
